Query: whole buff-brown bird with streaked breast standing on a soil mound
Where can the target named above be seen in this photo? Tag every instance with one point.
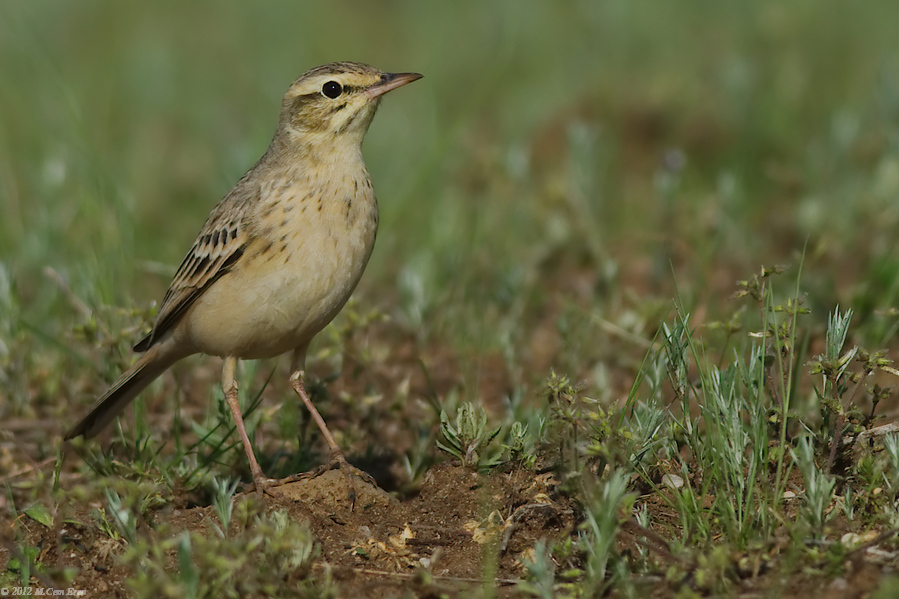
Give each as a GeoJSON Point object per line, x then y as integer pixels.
{"type": "Point", "coordinates": [280, 255]}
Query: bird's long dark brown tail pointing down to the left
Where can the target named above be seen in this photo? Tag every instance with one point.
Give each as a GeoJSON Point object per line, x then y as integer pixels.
{"type": "Point", "coordinates": [145, 371]}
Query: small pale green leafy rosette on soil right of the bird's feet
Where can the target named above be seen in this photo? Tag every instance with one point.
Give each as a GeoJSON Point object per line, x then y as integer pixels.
{"type": "Point", "coordinates": [468, 439]}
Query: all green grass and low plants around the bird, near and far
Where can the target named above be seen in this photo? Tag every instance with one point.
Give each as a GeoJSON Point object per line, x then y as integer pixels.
{"type": "Point", "coordinates": [569, 199]}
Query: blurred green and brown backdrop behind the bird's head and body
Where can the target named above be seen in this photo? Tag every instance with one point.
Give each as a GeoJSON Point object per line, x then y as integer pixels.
{"type": "Point", "coordinates": [561, 164]}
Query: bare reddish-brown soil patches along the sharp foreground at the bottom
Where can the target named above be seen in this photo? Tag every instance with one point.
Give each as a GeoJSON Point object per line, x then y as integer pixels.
{"type": "Point", "coordinates": [442, 541]}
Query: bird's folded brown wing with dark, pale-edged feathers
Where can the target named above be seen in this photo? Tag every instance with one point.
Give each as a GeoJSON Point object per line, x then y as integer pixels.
{"type": "Point", "coordinates": [219, 245]}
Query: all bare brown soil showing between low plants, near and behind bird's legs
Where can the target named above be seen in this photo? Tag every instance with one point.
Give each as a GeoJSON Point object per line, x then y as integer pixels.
{"type": "Point", "coordinates": [442, 538]}
